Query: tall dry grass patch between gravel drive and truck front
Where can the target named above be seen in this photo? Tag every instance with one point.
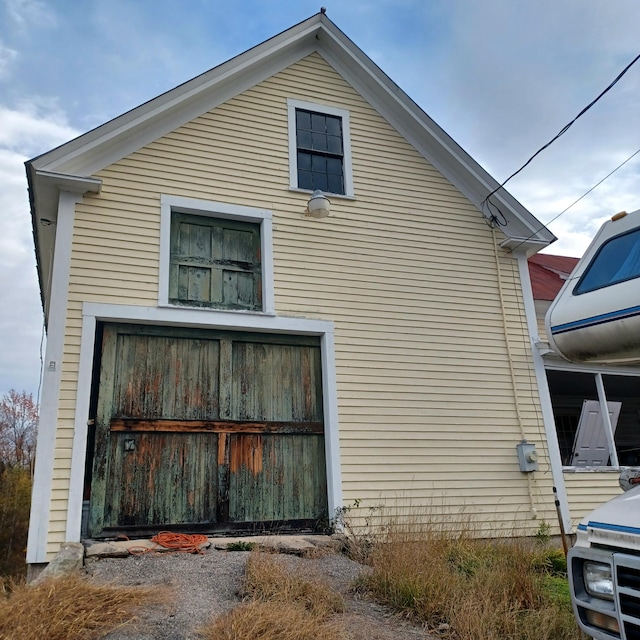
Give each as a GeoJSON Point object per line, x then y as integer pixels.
{"type": "Point", "coordinates": [483, 590]}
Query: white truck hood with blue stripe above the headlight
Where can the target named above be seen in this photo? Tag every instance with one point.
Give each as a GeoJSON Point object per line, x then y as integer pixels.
{"type": "Point", "coordinates": [615, 523]}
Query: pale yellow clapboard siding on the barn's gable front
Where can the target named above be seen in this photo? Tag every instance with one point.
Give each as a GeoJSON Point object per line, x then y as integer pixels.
{"type": "Point", "coordinates": [406, 271]}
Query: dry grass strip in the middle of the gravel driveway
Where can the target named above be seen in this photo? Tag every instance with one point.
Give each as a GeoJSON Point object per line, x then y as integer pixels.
{"type": "Point", "coordinates": [285, 604]}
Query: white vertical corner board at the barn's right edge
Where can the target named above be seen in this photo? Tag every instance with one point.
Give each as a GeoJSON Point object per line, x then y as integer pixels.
{"type": "Point", "coordinates": [553, 447]}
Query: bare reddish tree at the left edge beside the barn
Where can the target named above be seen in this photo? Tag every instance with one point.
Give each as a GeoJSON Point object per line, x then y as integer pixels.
{"type": "Point", "coordinates": [18, 429]}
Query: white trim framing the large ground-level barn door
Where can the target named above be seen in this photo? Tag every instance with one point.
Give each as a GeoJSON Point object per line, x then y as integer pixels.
{"type": "Point", "coordinates": [95, 312]}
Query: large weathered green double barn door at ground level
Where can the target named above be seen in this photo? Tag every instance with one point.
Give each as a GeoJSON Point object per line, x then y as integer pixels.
{"type": "Point", "coordinates": [207, 430]}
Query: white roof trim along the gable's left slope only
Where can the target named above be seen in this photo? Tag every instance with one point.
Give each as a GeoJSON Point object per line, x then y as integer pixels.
{"type": "Point", "coordinates": [131, 131]}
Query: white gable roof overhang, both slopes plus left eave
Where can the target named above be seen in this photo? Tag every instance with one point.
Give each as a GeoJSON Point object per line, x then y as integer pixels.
{"type": "Point", "coordinates": [70, 166]}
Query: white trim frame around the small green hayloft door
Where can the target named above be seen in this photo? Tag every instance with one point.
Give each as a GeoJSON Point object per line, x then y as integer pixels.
{"type": "Point", "coordinates": [263, 217]}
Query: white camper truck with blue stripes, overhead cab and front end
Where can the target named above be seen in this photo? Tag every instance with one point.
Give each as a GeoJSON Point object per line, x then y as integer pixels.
{"type": "Point", "coordinates": [596, 319]}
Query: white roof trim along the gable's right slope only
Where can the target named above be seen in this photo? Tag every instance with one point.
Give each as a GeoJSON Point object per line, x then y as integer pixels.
{"type": "Point", "coordinates": [431, 141]}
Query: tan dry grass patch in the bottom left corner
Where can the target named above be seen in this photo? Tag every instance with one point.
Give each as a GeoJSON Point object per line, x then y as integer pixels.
{"type": "Point", "coordinates": [69, 608]}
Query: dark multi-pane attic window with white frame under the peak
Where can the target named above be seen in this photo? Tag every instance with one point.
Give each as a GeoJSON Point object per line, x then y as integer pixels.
{"type": "Point", "coordinates": [319, 148]}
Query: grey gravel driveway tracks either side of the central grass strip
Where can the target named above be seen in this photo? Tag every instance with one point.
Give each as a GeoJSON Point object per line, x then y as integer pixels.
{"type": "Point", "coordinates": [204, 586]}
